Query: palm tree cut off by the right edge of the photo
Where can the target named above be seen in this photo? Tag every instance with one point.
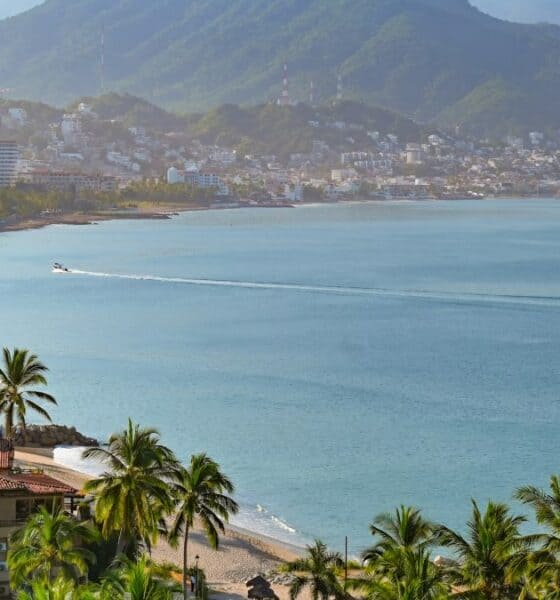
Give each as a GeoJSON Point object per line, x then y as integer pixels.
{"type": "Point", "coordinates": [544, 568]}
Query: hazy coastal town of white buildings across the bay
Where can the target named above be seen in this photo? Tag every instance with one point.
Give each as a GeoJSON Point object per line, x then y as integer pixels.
{"type": "Point", "coordinates": [83, 154]}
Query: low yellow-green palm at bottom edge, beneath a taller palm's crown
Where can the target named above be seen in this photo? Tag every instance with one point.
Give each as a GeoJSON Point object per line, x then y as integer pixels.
{"type": "Point", "coordinates": [416, 579]}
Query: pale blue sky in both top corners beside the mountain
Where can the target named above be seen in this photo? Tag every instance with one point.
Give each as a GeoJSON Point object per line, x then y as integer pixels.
{"type": "Point", "coordinates": [521, 10]}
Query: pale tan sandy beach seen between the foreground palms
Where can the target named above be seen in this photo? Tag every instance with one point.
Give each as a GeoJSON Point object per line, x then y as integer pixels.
{"type": "Point", "coordinates": [241, 555]}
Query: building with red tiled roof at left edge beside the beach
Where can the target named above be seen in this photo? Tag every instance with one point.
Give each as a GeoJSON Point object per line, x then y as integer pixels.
{"type": "Point", "coordinates": [21, 493]}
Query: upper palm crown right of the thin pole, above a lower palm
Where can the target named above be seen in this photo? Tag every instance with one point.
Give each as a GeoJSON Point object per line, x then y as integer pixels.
{"type": "Point", "coordinates": [406, 530]}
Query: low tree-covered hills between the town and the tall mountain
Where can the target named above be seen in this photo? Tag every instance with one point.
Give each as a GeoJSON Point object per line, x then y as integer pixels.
{"type": "Point", "coordinates": [265, 128]}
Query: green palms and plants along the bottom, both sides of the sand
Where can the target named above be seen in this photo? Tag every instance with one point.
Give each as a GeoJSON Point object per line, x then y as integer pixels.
{"type": "Point", "coordinates": [146, 494]}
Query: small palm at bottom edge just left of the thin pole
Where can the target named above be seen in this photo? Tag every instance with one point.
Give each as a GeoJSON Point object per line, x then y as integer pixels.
{"type": "Point", "coordinates": [317, 571]}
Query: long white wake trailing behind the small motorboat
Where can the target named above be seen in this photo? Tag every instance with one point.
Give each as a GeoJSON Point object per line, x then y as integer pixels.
{"type": "Point", "coordinates": [462, 297]}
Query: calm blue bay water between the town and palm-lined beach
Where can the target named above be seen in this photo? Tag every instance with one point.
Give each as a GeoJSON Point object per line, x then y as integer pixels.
{"type": "Point", "coordinates": [337, 360]}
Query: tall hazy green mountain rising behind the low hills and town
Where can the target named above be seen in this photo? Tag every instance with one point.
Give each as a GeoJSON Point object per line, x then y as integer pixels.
{"type": "Point", "coordinates": [429, 59]}
